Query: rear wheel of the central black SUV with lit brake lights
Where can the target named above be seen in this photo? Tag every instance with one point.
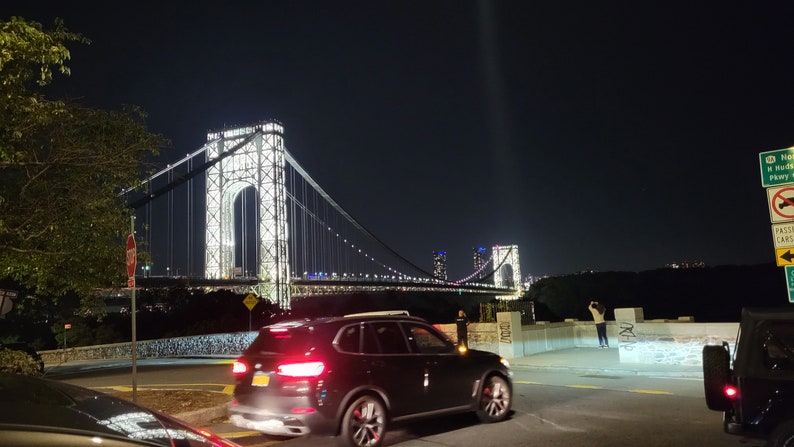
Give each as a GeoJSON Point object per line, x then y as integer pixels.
{"type": "Point", "coordinates": [364, 423]}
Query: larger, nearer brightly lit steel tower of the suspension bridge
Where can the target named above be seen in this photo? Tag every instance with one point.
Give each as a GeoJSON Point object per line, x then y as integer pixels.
{"type": "Point", "coordinates": [252, 156]}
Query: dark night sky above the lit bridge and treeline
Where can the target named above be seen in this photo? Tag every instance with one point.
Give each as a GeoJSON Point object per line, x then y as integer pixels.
{"type": "Point", "coordinates": [595, 135]}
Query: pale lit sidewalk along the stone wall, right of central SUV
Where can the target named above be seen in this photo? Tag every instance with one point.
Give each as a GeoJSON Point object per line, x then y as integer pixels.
{"type": "Point", "coordinates": [596, 360]}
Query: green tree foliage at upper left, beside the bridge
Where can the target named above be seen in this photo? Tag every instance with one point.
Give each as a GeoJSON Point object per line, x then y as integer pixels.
{"type": "Point", "coordinates": [62, 166]}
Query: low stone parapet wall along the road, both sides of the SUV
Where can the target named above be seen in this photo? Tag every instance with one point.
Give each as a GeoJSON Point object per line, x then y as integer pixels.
{"type": "Point", "coordinates": [657, 342]}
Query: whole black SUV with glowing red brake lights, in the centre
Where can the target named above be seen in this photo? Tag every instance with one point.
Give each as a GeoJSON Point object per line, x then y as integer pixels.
{"type": "Point", "coordinates": [351, 376]}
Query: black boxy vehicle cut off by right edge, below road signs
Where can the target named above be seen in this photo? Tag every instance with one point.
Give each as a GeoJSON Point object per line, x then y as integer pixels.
{"type": "Point", "coordinates": [757, 393]}
